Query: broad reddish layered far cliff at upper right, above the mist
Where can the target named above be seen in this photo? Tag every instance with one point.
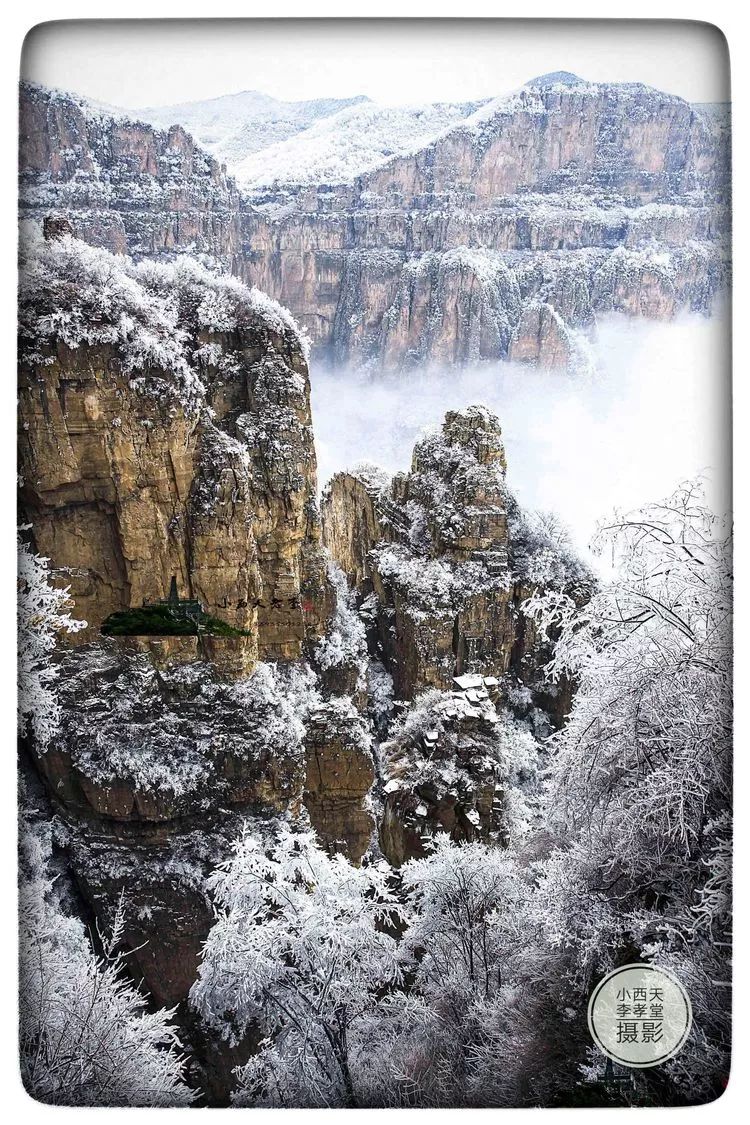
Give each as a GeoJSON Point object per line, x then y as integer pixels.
{"type": "Point", "coordinates": [507, 236]}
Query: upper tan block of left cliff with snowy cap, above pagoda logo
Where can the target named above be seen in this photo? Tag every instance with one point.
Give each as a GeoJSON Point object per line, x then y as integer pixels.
{"type": "Point", "coordinates": [166, 430]}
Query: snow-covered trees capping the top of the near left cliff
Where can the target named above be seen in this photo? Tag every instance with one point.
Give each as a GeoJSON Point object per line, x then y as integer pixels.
{"type": "Point", "coordinates": [152, 313]}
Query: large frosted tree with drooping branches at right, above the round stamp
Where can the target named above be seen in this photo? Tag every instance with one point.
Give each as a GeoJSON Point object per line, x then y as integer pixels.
{"type": "Point", "coordinates": [643, 768]}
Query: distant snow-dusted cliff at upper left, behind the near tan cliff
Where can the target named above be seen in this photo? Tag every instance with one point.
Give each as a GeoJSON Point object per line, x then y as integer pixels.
{"type": "Point", "coordinates": [125, 186]}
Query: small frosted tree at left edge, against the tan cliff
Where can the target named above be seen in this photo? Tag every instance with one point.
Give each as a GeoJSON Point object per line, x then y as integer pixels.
{"type": "Point", "coordinates": [43, 614]}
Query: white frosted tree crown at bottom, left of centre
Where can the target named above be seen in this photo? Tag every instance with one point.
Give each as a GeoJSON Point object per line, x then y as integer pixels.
{"type": "Point", "coordinates": [296, 930]}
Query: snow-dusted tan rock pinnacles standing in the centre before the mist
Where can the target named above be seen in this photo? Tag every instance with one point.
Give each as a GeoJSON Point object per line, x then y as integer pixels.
{"type": "Point", "coordinates": [442, 559]}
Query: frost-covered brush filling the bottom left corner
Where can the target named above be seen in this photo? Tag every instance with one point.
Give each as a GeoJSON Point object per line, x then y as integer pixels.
{"type": "Point", "coordinates": [87, 1038]}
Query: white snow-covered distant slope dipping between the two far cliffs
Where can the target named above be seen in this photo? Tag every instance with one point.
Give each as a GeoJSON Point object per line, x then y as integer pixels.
{"type": "Point", "coordinates": [237, 125]}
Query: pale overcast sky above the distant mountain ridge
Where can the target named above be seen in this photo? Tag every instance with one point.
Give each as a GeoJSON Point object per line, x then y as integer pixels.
{"type": "Point", "coordinates": [134, 64]}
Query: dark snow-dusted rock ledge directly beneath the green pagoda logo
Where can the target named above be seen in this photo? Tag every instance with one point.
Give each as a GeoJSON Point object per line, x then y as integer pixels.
{"type": "Point", "coordinates": [152, 744]}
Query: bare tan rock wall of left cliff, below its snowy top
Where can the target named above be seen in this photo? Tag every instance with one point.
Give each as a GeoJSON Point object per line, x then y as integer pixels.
{"type": "Point", "coordinates": [125, 490]}
